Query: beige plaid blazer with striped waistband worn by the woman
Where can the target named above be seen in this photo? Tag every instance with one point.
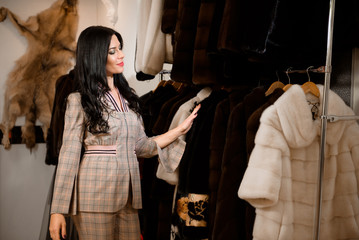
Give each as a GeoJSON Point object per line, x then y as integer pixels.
{"type": "Point", "coordinates": [101, 180]}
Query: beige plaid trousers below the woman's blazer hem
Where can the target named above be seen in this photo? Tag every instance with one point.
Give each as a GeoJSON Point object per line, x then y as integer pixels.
{"type": "Point", "coordinates": [122, 225]}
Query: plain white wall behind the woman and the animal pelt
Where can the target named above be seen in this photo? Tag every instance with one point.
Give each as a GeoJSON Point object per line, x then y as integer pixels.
{"type": "Point", "coordinates": [24, 176]}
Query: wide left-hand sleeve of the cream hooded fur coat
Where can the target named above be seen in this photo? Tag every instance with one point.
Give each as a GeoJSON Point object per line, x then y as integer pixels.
{"type": "Point", "coordinates": [264, 172]}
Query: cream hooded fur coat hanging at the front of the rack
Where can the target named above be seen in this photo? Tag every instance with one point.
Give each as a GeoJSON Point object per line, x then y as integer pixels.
{"type": "Point", "coordinates": [281, 178]}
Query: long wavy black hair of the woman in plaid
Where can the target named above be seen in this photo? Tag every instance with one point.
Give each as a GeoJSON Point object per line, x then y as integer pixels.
{"type": "Point", "coordinates": [90, 72]}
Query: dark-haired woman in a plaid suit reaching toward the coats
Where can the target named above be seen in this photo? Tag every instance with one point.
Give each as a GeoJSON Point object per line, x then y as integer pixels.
{"type": "Point", "coordinates": [101, 190]}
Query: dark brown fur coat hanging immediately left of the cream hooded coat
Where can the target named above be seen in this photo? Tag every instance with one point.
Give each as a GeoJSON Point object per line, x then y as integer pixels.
{"type": "Point", "coordinates": [230, 220]}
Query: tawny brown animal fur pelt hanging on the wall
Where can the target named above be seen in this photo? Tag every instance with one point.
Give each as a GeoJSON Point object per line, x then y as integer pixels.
{"type": "Point", "coordinates": [30, 87]}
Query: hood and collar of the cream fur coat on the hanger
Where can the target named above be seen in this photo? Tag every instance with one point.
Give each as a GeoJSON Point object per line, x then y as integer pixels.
{"type": "Point", "coordinates": [292, 115]}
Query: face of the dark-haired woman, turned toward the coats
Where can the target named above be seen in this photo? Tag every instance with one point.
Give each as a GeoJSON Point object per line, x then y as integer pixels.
{"type": "Point", "coordinates": [115, 57]}
